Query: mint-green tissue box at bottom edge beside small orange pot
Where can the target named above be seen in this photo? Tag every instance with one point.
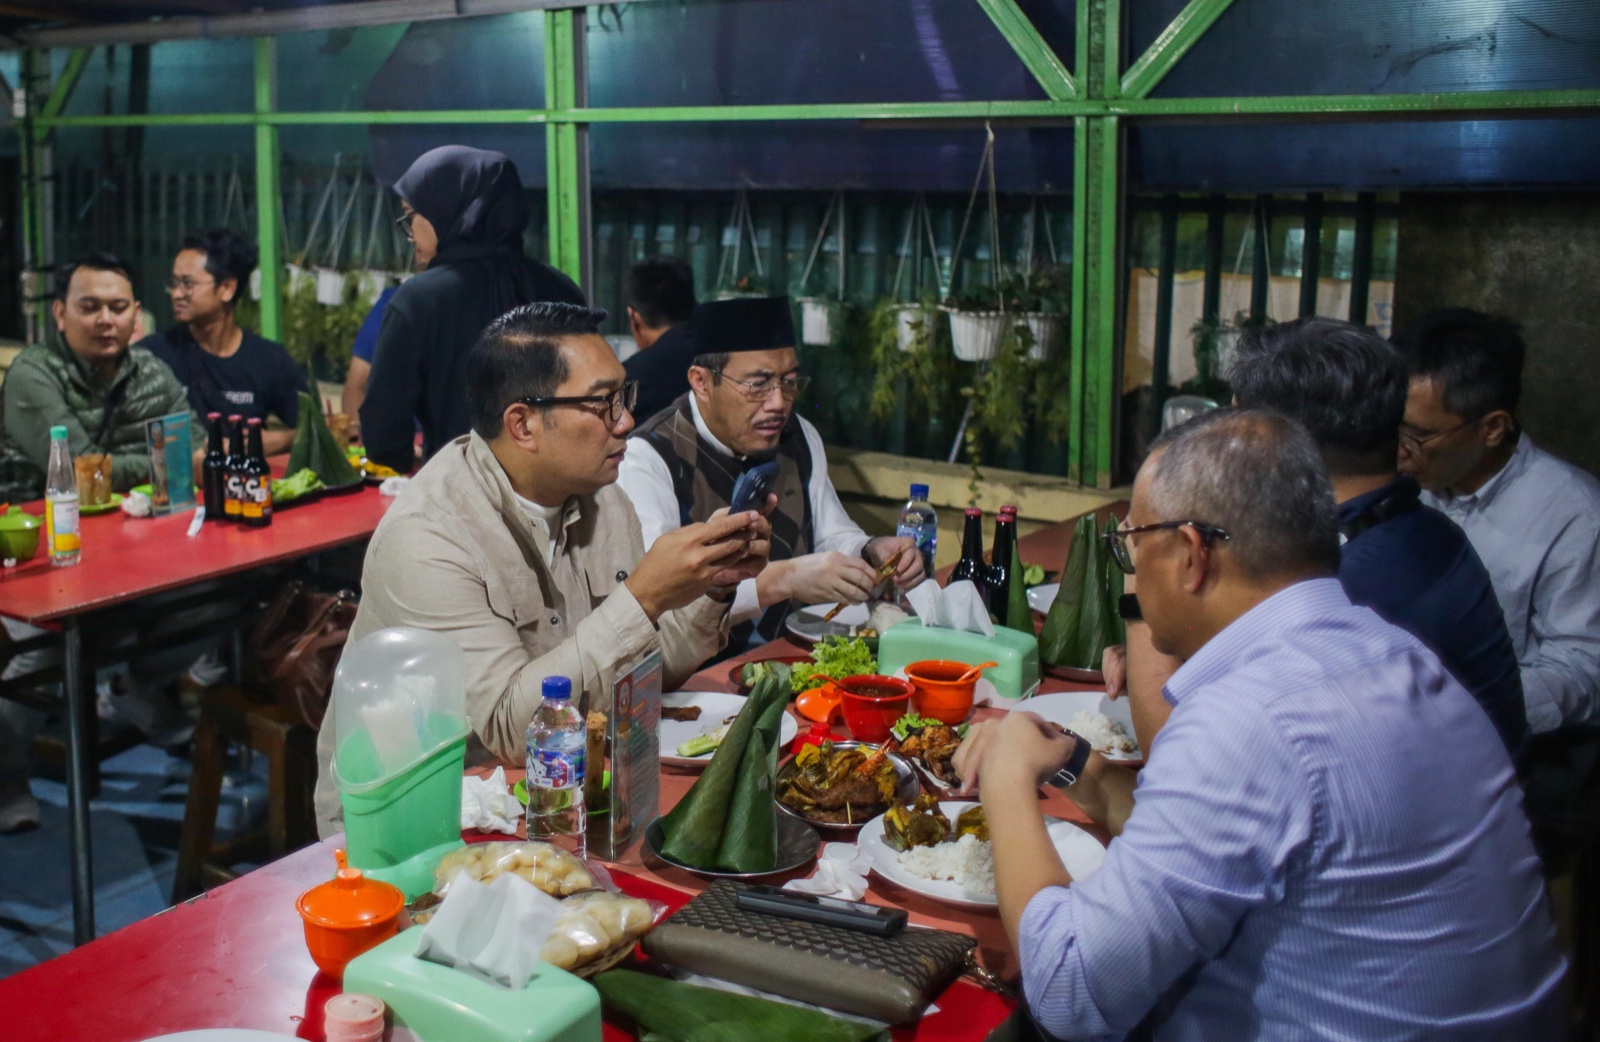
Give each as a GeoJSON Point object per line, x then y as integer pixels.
{"type": "Point", "coordinates": [441, 1004]}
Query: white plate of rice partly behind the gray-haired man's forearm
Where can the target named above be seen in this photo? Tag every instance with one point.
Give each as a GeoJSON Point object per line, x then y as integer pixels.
{"type": "Point", "coordinates": [964, 873]}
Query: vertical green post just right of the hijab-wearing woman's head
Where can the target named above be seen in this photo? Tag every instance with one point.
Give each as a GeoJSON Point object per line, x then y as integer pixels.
{"type": "Point", "coordinates": [567, 145]}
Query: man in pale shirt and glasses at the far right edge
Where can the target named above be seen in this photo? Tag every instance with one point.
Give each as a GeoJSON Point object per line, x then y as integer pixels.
{"type": "Point", "coordinates": [1534, 519]}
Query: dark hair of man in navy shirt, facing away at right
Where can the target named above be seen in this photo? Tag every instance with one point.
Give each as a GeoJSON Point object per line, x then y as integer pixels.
{"type": "Point", "coordinates": [1338, 380]}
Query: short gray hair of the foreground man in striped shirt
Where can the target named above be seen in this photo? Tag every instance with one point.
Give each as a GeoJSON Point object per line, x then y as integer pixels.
{"type": "Point", "coordinates": [1257, 475]}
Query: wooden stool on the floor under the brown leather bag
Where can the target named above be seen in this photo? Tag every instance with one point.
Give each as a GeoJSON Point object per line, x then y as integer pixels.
{"type": "Point", "coordinates": [290, 747]}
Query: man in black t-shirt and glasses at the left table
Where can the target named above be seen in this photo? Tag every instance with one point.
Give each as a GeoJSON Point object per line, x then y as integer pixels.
{"type": "Point", "coordinates": [226, 369]}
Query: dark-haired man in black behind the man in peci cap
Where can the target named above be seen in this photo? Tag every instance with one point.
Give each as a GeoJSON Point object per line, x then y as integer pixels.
{"type": "Point", "coordinates": [660, 308]}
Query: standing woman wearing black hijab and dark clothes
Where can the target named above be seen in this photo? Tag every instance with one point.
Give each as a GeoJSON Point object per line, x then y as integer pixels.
{"type": "Point", "coordinates": [471, 207]}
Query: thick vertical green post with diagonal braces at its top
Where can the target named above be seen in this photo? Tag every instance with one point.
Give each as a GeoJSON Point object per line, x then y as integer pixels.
{"type": "Point", "coordinates": [1097, 247]}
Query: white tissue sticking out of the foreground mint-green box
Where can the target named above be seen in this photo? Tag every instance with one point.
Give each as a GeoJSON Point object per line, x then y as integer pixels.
{"type": "Point", "coordinates": [490, 931]}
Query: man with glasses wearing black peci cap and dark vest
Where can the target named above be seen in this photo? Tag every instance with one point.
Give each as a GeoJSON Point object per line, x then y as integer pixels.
{"type": "Point", "coordinates": [684, 463]}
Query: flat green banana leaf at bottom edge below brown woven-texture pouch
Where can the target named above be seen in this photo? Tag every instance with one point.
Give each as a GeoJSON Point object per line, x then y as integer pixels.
{"type": "Point", "coordinates": [679, 1012]}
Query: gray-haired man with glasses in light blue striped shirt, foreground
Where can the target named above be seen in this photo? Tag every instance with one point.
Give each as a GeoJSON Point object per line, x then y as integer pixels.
{"type": "Point", "coordinates": [1327, 843]}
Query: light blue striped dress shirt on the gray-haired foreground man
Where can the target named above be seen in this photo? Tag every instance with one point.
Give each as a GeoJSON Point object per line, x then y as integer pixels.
{"type": "Point", "coordinates": [1327, 844]}
